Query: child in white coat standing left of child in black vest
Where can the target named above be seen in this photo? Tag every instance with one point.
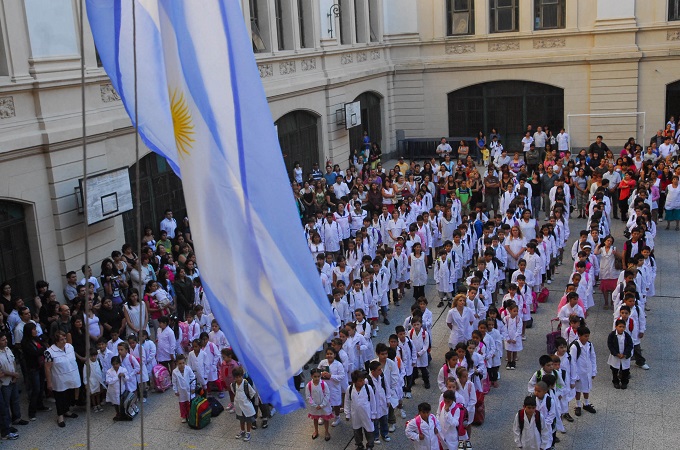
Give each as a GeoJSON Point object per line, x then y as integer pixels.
{"type": "Point", "coordinates": [584, 367]}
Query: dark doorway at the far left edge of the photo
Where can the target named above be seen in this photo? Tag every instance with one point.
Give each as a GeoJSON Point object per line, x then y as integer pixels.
{"type": "Point", "coordinates": [15, 255]}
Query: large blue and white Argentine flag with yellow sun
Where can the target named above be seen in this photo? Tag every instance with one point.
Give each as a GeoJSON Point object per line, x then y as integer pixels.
{"type": "Point", "coordinates": [202, 106]}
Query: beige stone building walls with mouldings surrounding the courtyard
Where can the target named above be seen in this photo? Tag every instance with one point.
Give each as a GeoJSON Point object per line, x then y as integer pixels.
{"type": "Point", "coordinates": [612, 56]}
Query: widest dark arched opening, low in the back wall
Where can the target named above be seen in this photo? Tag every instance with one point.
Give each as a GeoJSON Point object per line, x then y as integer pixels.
{"type": "Point", "coordinates": [508, 106]}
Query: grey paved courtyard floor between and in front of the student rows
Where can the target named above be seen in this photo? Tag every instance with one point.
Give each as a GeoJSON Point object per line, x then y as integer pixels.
{"type": "Point", "coordinates": [643, 417]}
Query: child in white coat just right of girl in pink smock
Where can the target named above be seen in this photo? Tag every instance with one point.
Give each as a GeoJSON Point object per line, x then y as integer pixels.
{"type": "Point", "coordinates": [361, 409]}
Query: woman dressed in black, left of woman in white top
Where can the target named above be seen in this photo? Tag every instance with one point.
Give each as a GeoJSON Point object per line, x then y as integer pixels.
{"type": "Point", "coordinates": [34, 356]}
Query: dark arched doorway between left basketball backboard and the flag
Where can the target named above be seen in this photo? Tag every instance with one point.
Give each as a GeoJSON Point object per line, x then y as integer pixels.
{"type": "Point", "coordinates": [161, 189]}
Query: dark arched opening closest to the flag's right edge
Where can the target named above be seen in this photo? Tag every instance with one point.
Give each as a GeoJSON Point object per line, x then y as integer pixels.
{"type": "Point", "coordinates": [299, 140]}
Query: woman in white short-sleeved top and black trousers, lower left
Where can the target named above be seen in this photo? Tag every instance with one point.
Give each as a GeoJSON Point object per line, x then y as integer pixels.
{"type": "Point", "coordinates": [61, 373]}
